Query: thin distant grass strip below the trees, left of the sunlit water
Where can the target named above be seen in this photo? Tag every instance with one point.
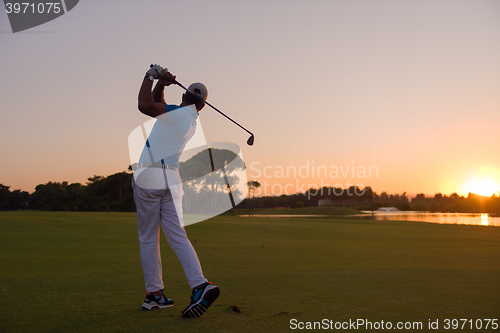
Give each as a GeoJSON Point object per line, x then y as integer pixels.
{"type": "Point", "coordinates": [297, 211]}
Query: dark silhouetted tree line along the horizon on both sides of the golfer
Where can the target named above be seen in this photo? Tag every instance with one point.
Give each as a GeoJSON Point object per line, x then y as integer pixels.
{"type": "Point", "coordinates": [115, 193]}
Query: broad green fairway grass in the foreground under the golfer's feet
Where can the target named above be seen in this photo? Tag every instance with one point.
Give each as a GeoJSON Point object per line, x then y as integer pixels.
{"type": "Point", "coordinates": [80, 272]}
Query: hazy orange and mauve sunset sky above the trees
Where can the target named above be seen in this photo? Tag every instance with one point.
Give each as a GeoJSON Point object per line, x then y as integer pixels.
{"type": "Point", "coordinates": [409, 89]}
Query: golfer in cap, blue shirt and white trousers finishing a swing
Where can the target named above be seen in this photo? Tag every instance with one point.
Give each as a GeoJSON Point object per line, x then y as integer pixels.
{"type": "Point", "coordinates": [158, 192]}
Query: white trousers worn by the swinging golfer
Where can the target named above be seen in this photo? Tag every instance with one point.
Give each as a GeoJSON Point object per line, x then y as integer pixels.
{"type": "Point", "coordinates": [155, 207]}
